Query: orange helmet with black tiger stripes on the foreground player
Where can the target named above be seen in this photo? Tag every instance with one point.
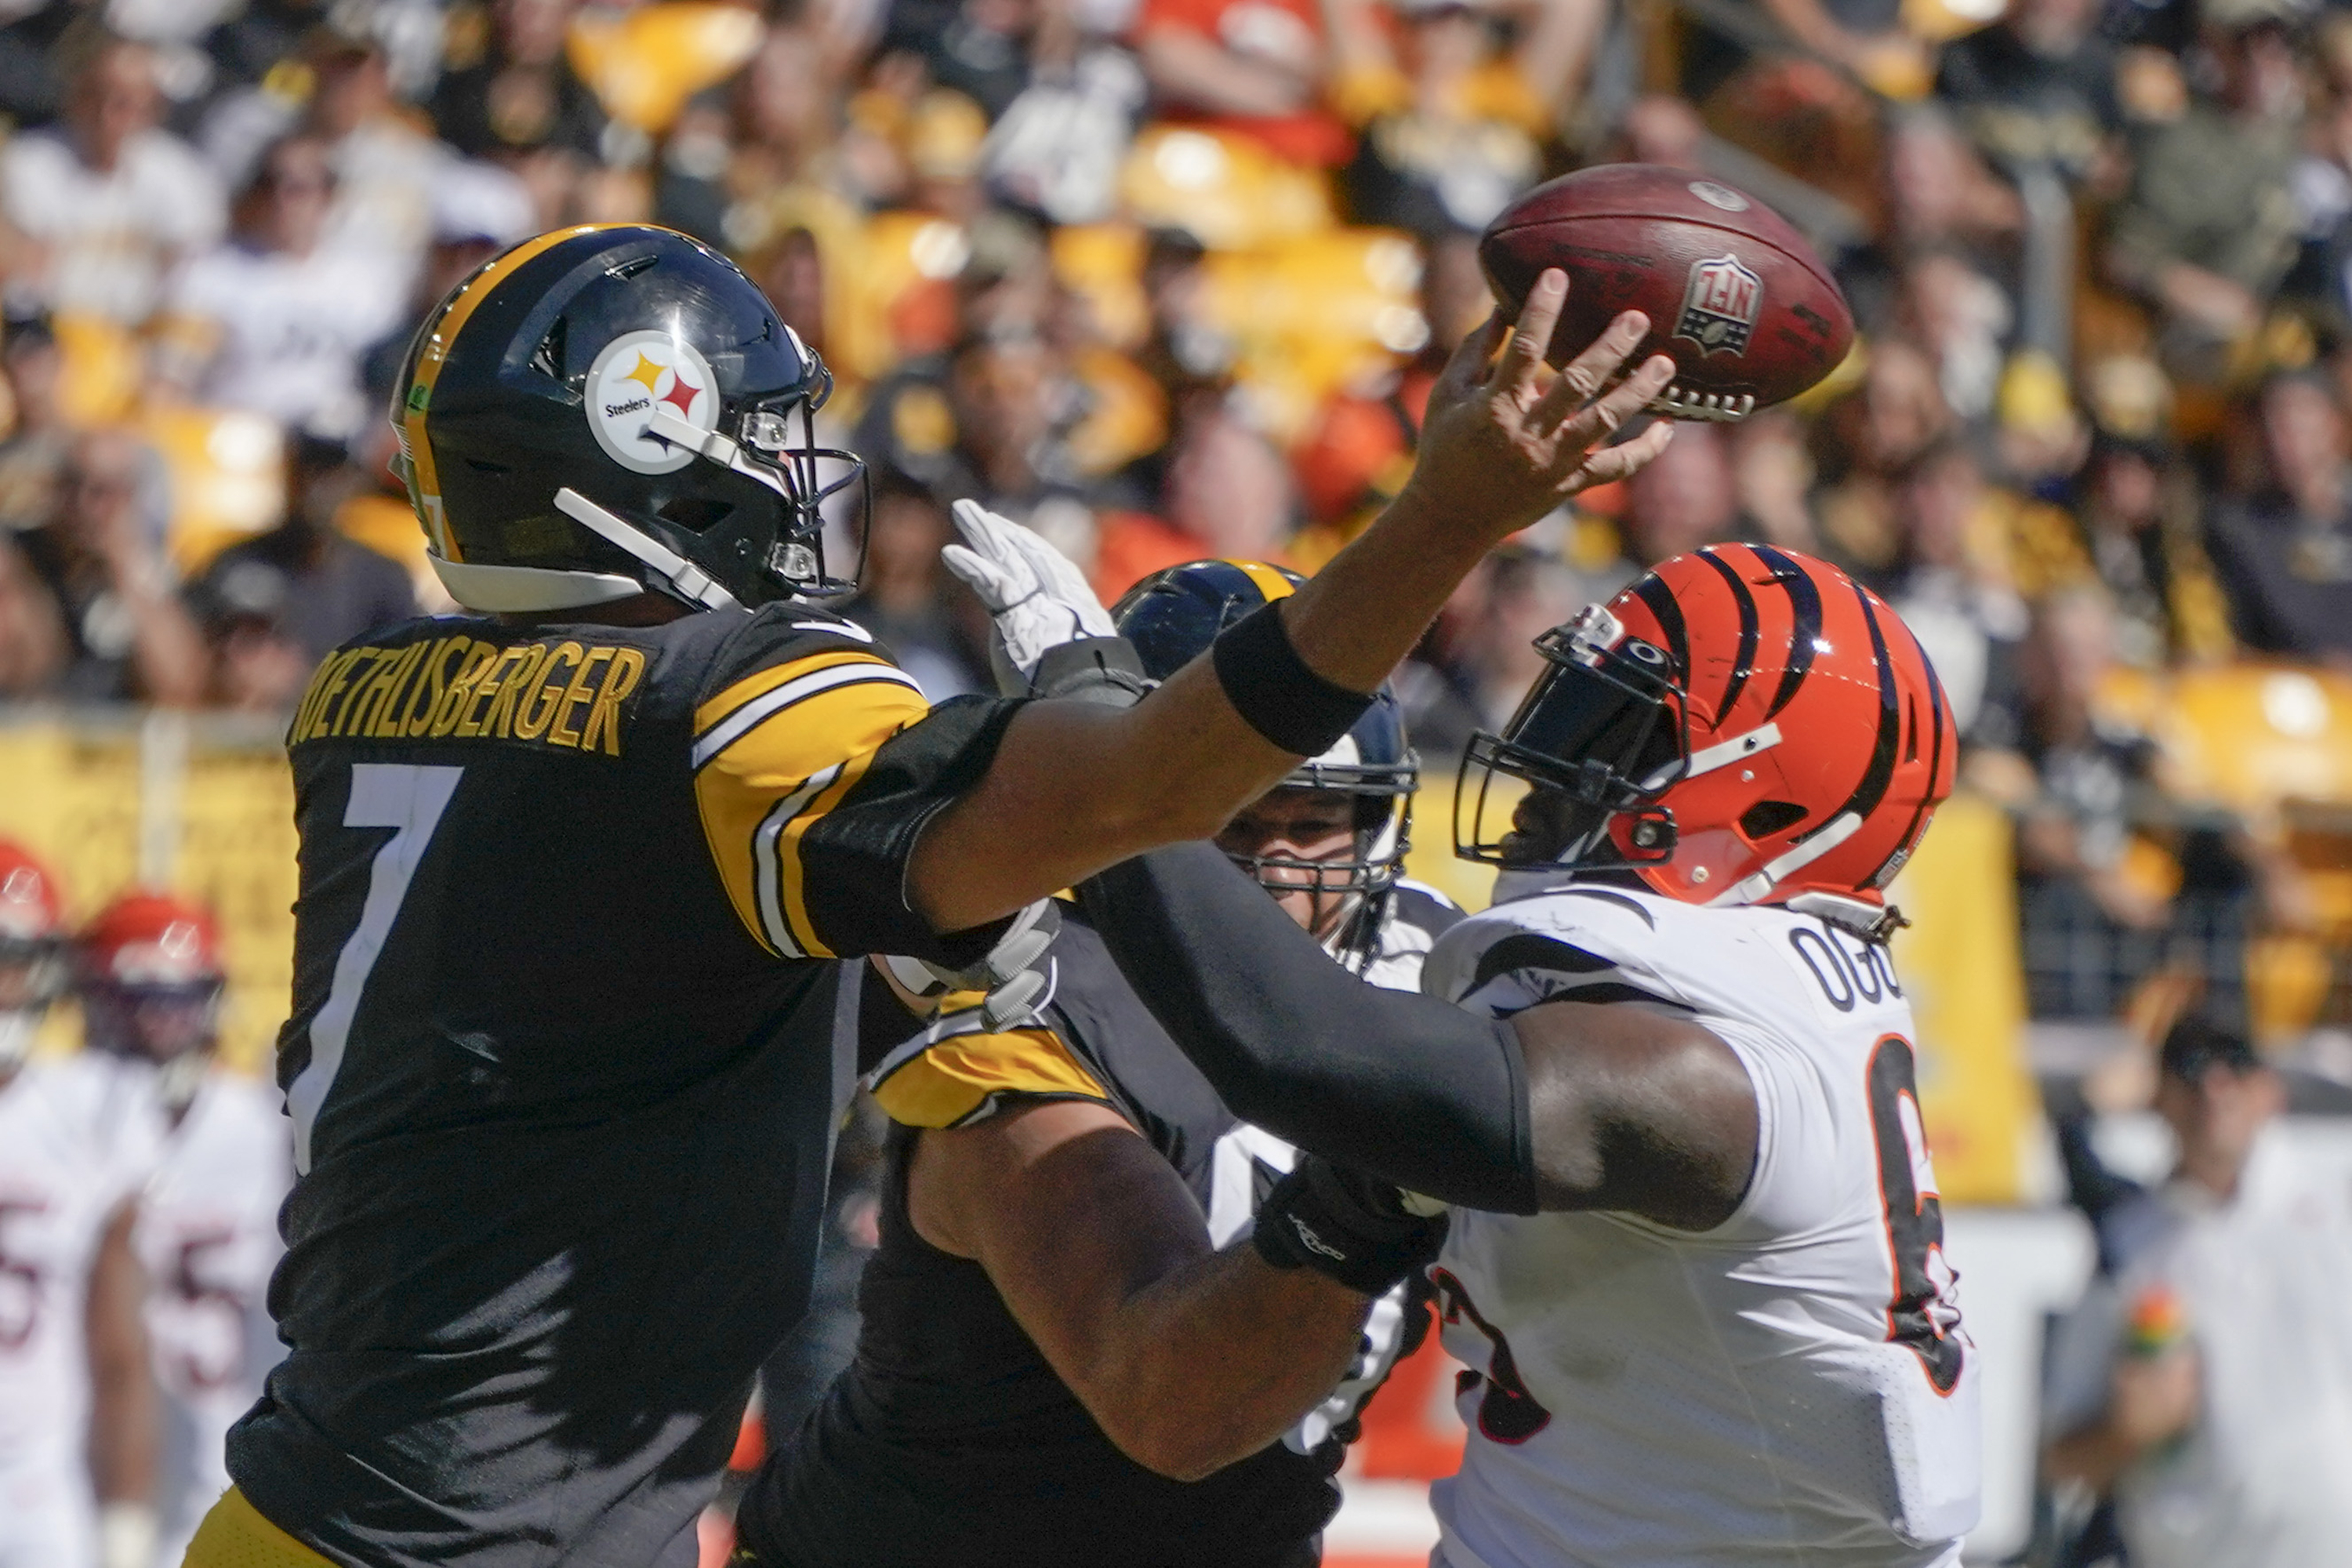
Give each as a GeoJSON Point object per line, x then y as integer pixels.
{"type": "Point", "coordinates": [1742, 725]}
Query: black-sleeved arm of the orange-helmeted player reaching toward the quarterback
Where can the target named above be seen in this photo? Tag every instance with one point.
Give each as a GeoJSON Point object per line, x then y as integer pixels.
{"type": "Point", "coordinates": [1565, 1106]}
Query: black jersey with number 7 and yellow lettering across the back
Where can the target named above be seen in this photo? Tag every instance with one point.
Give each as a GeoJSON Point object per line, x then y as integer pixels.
{"type": "Point", "coordinates": [566, 1061]}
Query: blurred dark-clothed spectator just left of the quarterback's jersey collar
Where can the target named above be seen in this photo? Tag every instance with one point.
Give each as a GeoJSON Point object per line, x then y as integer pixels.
{"type": "Point", "coordinates": [279, 603]}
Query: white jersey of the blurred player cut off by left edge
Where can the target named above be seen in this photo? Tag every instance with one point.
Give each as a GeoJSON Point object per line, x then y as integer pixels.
{"type": "Point", "coordinates": [79, 1139]}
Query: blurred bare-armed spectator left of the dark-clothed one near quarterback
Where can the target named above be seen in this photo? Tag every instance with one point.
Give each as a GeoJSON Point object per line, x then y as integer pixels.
{"type": "Point", "coordinates": [114, 587]}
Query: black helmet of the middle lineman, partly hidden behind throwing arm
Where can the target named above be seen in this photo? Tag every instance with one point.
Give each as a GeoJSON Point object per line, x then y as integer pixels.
{"type": "Point", "coordinates": [1172, 617]}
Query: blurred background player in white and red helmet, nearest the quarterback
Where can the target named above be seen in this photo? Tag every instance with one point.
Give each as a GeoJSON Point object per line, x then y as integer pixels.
{"type": "Point", "coordinates": [149, 977]}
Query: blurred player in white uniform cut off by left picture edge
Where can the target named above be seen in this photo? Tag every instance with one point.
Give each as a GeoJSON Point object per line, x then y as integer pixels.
{"type": "Point", "coordinates": [79, 1141]}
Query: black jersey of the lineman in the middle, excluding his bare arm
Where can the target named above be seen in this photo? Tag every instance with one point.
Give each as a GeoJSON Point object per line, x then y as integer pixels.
{"type": "Point", "coordinates": [951, 1440]}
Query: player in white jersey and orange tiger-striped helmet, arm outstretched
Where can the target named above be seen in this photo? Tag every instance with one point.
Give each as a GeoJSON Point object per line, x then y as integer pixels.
{"type": "Point", "coordinates": [1669, 1076]}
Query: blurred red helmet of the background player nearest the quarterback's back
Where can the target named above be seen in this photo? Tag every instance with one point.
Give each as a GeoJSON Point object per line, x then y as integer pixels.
{"type": "Point", "coordinates": [149, 974]}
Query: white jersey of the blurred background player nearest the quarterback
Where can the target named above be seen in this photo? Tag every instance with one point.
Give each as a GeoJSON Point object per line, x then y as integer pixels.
{"type": "Point", "coordinates": [208, 1240]}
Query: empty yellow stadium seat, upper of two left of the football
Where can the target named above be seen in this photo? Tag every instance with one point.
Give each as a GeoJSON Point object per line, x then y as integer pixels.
{"type": "Point", "coordinates": [1229, 192]}
